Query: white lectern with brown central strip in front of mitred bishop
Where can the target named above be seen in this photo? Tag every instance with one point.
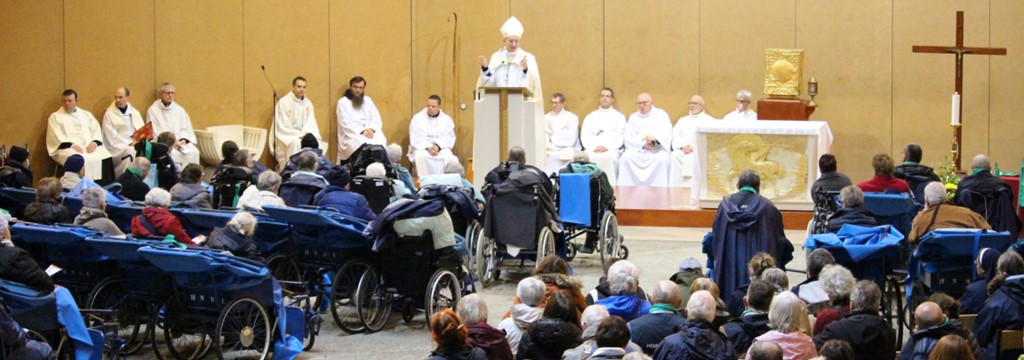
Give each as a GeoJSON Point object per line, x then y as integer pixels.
{"type": "Point", "coordinates": [503, 118]}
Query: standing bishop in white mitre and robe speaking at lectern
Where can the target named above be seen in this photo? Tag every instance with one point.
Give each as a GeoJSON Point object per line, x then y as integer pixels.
{"type": "Point", "coordinates": [511, 66]}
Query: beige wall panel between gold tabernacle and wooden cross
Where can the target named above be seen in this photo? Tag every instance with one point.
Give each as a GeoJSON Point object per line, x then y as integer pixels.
{"type": "Point", "coordinates": [848, 51]}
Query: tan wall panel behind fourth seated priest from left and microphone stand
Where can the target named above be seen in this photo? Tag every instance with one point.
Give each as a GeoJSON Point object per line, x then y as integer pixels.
{"type": "Point", "coordinates": [290, 41]}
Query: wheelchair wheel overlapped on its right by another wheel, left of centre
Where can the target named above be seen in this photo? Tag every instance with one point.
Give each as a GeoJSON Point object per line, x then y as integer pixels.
{"type": "Point", "coordinates": [344, 287]}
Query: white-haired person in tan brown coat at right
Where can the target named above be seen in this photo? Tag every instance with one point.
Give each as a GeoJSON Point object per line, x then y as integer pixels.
{"type": "Point", "coordinates": [940, 214]}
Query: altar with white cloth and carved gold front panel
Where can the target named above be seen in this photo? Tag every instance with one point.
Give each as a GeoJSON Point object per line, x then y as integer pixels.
{"type": "Point", "coordinates": [784, 153]}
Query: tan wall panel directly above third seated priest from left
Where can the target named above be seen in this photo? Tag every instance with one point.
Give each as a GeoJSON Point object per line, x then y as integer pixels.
{"type": "Point", "coordinates": [199, 49]}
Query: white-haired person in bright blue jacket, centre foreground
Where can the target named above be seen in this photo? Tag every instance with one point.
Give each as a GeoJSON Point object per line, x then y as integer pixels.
{"type": "Point", "coordinates": [624, 278]}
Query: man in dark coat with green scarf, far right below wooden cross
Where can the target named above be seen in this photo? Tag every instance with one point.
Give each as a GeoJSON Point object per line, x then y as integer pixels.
{"type": "Point", "coordinates": [989, 196]}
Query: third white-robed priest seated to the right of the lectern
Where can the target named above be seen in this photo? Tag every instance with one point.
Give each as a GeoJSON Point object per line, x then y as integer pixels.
{"type": "Point", "coordinates": [648, 137]}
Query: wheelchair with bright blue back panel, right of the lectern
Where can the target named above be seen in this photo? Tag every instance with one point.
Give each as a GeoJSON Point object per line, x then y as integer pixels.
{"type": "Point", "coordinates": [584, 212]}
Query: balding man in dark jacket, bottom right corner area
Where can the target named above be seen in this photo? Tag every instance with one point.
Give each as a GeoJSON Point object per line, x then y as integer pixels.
{"type": "Point", "coordinates": [932, 325]}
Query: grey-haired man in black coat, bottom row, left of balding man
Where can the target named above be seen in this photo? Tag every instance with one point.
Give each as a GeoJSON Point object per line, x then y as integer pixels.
{"type": "Point", "coordinates": [870, 335]}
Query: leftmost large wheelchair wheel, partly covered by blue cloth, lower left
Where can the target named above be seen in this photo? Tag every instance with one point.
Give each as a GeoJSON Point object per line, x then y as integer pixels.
{"type": "Point", "coordinates": [133, 316]}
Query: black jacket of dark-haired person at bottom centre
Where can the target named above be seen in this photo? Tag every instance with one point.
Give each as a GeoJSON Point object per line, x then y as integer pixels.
{"type": "Point", "coordinates": [548, 339]}
